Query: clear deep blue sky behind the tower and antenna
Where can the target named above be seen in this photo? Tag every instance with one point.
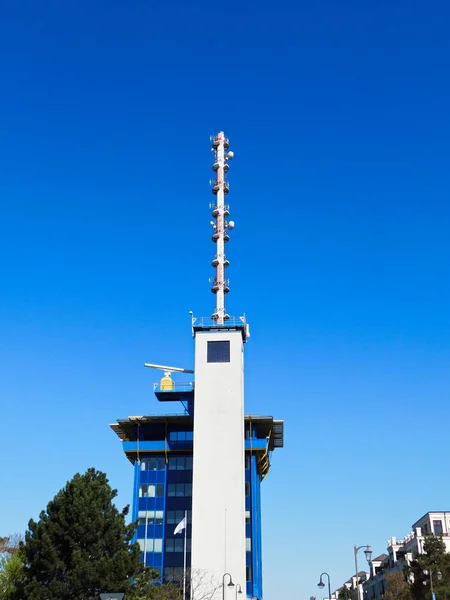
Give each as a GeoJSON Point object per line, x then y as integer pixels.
{"type": "Point", "coordinates": [338, 113]}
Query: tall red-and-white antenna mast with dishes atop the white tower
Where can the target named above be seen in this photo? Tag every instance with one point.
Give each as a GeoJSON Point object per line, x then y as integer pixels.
{"type": "Point", "coordinates": [220, 211]}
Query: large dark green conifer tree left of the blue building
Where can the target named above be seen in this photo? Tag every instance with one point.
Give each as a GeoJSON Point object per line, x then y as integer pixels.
{"type": "Point", "coordinates": [80, 546]}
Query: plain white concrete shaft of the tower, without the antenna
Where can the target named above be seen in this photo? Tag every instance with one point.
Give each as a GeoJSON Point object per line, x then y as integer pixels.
{"type": "Point", "coordinates": [218, 503]}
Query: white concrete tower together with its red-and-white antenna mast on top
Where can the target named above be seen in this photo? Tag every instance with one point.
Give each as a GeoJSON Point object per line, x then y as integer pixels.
{"type": "Point", "coordinates": [218, 502]}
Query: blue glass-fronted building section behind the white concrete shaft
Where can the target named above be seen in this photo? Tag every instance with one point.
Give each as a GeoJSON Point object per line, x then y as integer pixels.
{"type": "Point", "coordinates": [161, 450]}
